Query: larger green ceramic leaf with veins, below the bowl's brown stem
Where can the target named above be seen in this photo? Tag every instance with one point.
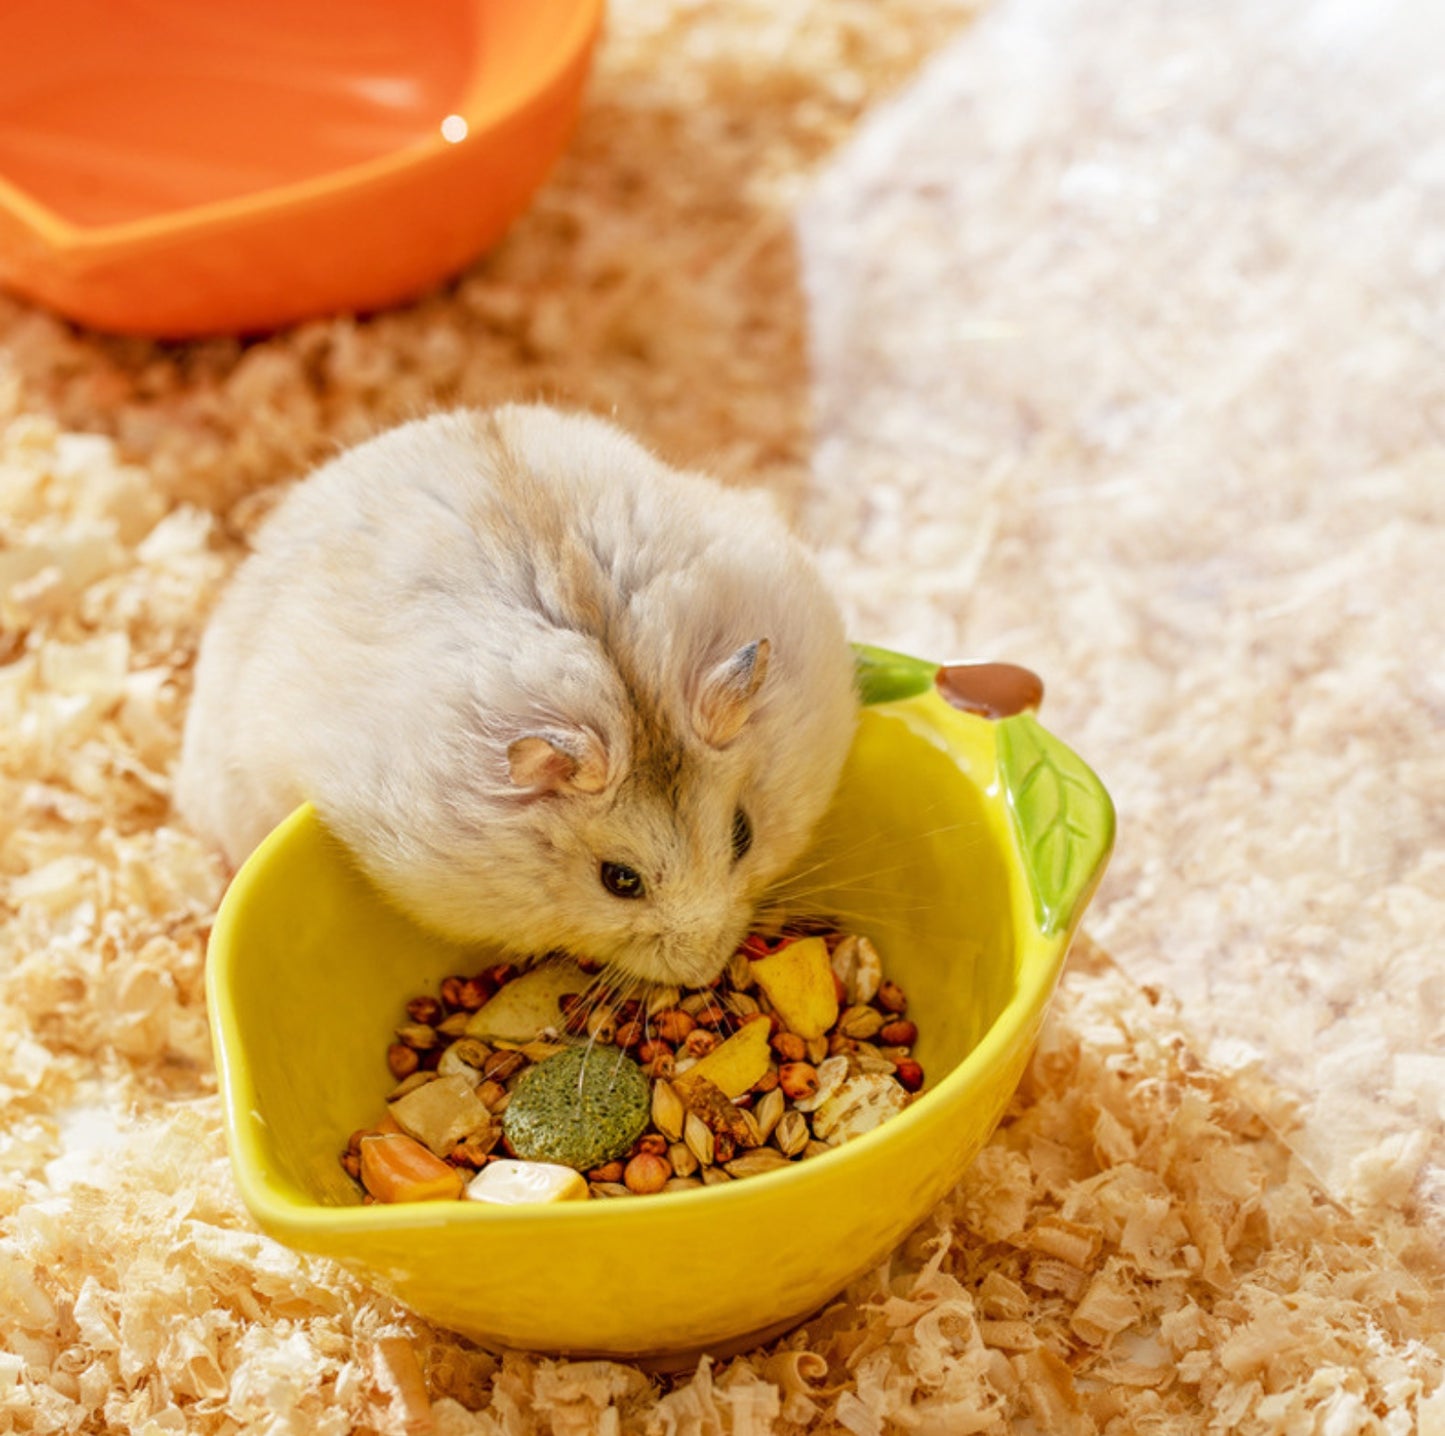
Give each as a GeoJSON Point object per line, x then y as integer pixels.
{"type": "Point", "coordinates": [1063, 820]}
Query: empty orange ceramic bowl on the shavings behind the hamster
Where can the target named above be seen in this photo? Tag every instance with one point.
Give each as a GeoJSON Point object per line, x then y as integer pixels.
{"type": "Point", "coordinates": [197, 167]}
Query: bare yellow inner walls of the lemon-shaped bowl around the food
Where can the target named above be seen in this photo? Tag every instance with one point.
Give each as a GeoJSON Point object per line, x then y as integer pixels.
{"type": "Point", "coordinates": [313, 969]}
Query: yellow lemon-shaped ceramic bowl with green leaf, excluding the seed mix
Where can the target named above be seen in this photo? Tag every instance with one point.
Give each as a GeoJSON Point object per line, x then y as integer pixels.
{"type": "Point", "coordinates": [966, 847]}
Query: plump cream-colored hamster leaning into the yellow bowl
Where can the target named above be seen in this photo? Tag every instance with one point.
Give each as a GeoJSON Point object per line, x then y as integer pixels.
{"type": "Point", "coordinates": [551, 693]}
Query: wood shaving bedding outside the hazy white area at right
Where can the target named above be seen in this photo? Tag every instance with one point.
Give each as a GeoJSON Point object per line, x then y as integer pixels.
{"type": "Point", "coordinates": [1134, 1252]}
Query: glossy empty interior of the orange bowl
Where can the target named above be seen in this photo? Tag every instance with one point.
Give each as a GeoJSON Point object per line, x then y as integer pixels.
{"type": "Point", "coordinates": [118, 113]}
